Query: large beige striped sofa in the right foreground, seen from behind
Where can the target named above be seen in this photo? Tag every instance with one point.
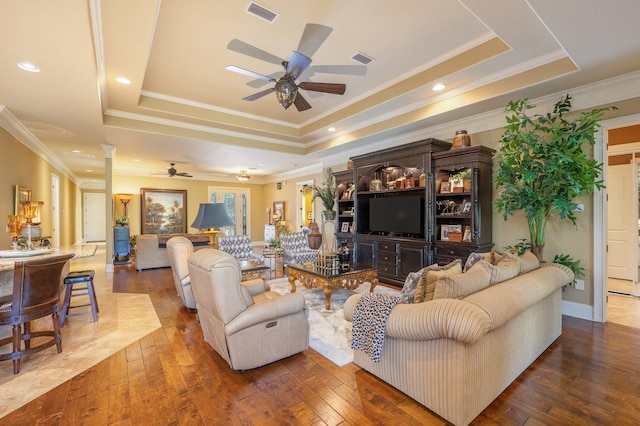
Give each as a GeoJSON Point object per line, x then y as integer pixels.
{"type": "Point", "coordinates": [456, 356]}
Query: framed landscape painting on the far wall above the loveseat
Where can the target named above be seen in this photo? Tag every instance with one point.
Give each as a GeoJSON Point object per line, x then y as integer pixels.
{"type": "Point", "coordinates": [163, 211]}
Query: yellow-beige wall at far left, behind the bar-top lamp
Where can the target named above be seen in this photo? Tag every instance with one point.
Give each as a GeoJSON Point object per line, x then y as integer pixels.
{"type": "Point", "coordinates": [21, 166]}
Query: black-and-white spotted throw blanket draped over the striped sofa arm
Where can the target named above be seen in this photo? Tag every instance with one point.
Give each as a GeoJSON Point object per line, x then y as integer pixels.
{"type": "Point", "coordinates": [370, 321]}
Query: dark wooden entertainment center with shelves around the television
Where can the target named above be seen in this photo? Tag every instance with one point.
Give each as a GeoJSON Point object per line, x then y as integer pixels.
{"type": "Point", "coordinates": [391, 207]}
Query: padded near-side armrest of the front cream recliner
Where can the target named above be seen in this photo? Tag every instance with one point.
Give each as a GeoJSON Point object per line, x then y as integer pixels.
{"type": "Point", "coordinates": [271, 309]}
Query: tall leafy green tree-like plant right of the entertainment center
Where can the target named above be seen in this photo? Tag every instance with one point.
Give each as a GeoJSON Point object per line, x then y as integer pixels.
{"type": "Point", "coordinates": [542, 165]}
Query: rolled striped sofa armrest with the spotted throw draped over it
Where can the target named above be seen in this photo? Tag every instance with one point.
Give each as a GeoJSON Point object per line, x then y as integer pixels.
{"type": "Point", "coordinates": [436, 319]}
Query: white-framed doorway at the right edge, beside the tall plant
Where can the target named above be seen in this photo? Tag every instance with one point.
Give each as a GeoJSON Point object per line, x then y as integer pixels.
{"type": "Point", "coordinates": [618, 245]}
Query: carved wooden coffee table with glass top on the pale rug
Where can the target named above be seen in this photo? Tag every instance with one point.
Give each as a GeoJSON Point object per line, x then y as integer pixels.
{"type": "Point", "coordinates": [311, 276]}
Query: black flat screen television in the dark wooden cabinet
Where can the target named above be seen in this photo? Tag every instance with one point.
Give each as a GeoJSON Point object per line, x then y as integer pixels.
{"type": "Point", "coordinates": [400, 216]}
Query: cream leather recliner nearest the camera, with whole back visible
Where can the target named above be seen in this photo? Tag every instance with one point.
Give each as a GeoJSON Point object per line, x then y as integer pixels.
{"type": "Point", "coordinates": [245, 323]}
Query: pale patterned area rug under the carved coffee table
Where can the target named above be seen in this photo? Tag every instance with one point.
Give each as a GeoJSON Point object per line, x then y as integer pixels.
{"type": "Point", "coordinates": [330, 333]}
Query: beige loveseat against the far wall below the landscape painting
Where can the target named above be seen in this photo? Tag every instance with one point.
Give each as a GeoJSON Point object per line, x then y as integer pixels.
{"type": "Point", "coordinates": [151, 251]}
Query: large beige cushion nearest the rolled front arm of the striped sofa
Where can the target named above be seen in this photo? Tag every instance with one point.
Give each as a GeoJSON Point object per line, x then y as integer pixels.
{"type": "Point", "coordinates": [459, 286]}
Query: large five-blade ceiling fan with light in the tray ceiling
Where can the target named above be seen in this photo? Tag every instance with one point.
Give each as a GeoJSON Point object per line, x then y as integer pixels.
{"type": "Point", "coordinates": [286, 88]}
